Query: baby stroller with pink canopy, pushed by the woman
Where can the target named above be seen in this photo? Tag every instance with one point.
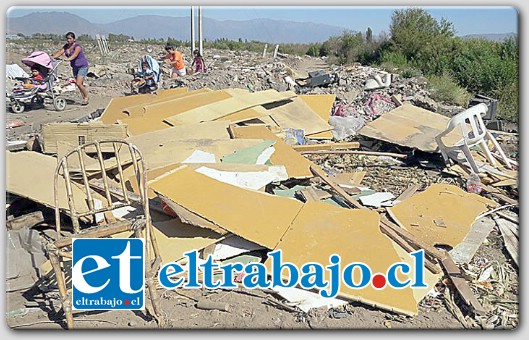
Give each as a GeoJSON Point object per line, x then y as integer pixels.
{"type": "Point", "coordinates": [23, 97]}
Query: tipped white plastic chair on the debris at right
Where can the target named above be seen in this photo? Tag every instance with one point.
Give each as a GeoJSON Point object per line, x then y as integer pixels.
{"type": "Point", "coordinates": [474, 132]}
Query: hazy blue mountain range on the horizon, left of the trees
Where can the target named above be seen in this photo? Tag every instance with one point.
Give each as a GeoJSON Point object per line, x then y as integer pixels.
{"type": "Point", "coordinates": [153, 26]}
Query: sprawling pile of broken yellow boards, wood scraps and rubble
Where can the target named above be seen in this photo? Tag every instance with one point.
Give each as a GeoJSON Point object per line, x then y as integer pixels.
{"type": "Point", "coordinates": [237, 173]}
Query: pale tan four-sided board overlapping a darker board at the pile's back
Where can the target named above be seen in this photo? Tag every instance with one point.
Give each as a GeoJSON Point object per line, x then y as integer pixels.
{"type": "Point", "coordinates": [298, 115]}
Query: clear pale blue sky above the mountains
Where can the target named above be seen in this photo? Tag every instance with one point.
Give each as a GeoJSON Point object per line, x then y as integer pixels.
{"type": "Point", "coordinates": [466, 20]}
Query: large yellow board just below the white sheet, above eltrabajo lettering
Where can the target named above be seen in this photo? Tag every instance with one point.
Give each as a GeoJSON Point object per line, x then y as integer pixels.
{"type": "Point", "coordinates": [258, 217]}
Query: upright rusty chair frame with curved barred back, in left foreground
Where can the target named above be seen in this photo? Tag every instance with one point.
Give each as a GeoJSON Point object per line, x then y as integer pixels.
{"type": "Point", "coordinates": [93, 175]}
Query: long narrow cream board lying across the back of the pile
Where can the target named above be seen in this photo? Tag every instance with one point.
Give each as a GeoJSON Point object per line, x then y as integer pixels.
{"type": "Point", "coordinates": [238, 102]}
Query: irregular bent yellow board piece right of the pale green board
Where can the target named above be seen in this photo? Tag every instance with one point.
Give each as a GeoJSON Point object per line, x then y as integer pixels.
{"type": "Point", "coordinates": [297, 166]}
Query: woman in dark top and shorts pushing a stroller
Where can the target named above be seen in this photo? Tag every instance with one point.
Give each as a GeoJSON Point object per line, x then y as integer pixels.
{"type": "Point", "coordinates": [75, 55]}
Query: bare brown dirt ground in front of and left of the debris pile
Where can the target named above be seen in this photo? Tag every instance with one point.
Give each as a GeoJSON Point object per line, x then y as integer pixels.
{"type": "Point", "coordinates": [39, 308]}
